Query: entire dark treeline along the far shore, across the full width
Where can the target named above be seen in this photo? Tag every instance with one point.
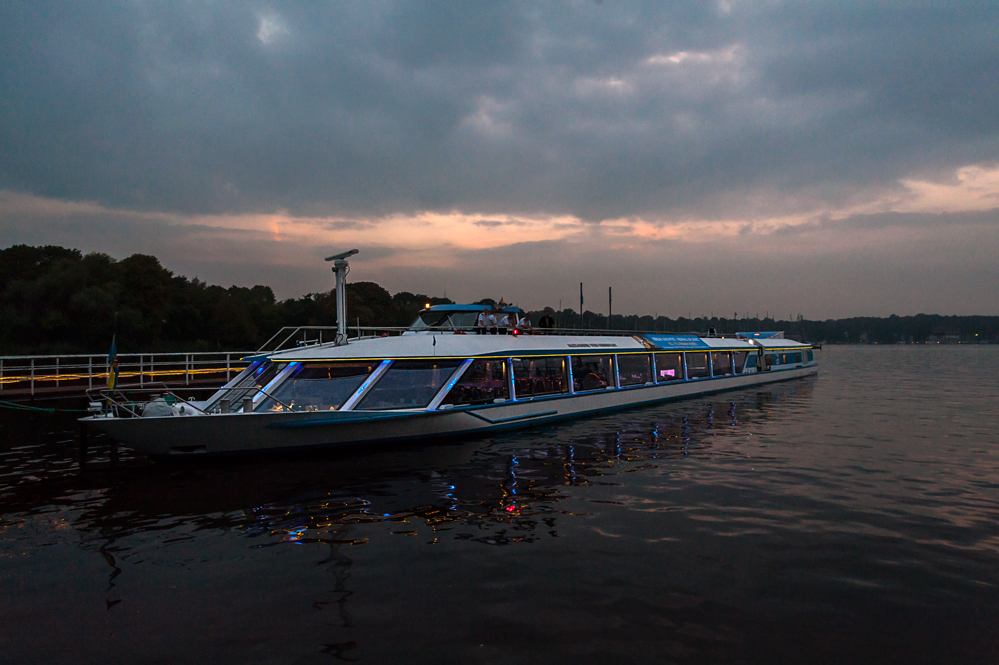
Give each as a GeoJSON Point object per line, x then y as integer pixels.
{"type": "Point", "coordinates": [57, 300]}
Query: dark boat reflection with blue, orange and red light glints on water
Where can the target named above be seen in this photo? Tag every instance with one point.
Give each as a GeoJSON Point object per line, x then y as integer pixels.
{"type": "Point", "coordinates": [496, 491]}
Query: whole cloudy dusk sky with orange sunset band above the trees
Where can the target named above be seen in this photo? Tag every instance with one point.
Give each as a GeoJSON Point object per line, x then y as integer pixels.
{"type": "Point", "coordinates": [828, 158]}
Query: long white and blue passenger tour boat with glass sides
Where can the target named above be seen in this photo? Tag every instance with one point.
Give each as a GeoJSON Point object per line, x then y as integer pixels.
{"type": "Point", "coordinates": [439, 379]}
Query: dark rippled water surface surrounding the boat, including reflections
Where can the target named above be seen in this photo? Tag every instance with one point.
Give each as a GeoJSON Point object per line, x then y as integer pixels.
{"type": "Point", "coordinates": [849, 517]}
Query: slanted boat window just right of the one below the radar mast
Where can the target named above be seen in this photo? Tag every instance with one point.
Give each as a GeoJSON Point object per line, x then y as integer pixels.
{"type": "Point", "coordinates": [409, 384]}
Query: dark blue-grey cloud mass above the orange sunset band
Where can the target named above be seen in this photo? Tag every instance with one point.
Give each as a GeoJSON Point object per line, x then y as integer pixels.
{"type": "Point", "coordinates": [363, 109]}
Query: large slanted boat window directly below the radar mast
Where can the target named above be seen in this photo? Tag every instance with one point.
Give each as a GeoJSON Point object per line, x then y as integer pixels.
{"type": "Point", "coordinates": [319, 386]}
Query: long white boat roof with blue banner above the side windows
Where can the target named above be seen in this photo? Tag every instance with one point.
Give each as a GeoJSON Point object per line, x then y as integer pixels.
{"type": "Point", "coordinates": [449, 345]}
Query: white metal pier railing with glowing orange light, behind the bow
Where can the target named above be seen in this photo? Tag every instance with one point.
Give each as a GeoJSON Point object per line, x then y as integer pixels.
{"type": "Point", "coordinates": [31, 374]}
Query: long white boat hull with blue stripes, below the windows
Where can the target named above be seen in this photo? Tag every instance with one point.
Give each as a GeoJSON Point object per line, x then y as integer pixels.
{"type": "Point", "coordinates": [257, 432]}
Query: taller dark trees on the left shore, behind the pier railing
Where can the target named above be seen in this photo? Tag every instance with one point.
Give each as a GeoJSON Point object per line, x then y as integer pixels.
{"type": "Point", "coordinates": [56, 300]}
